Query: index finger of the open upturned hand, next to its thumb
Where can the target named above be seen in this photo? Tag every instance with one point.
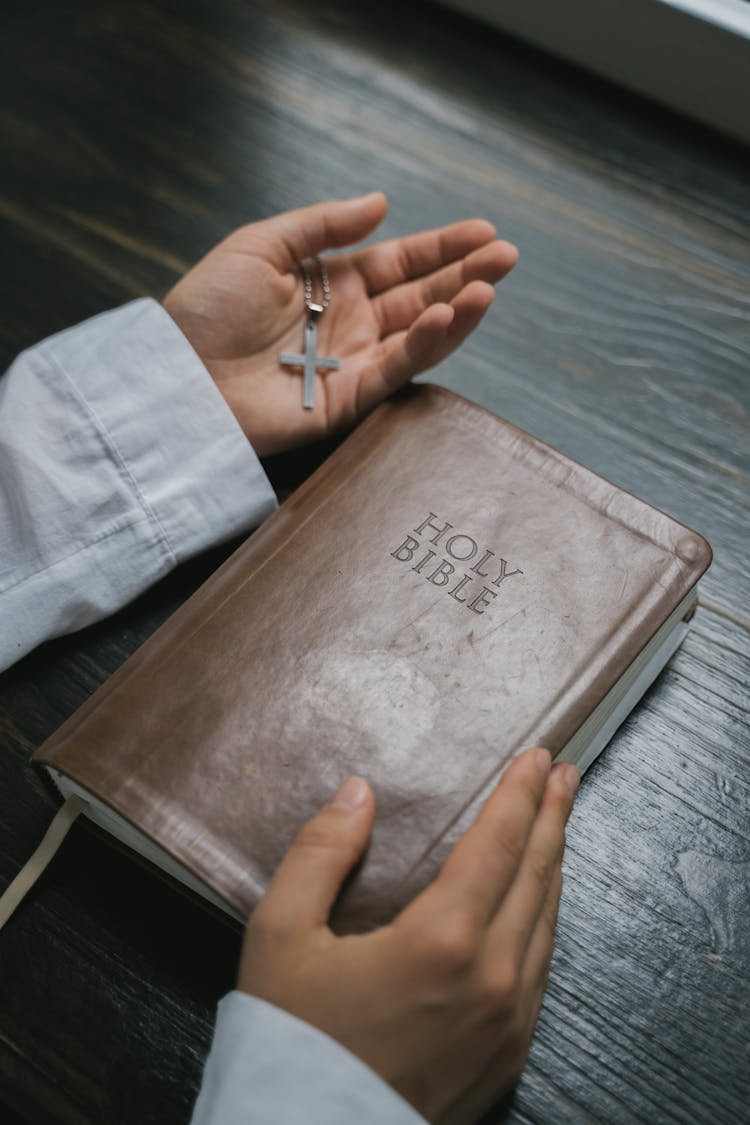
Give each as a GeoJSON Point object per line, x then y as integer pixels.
{"type": "Point", "coordinates": [399, 260]}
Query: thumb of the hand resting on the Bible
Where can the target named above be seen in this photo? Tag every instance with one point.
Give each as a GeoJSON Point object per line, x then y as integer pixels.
{"type": "Point", "coordinates": [310, 877]}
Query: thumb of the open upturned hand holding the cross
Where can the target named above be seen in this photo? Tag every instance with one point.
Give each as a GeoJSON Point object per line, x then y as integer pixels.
{"type": "Point", "coordinates": [309, 231]}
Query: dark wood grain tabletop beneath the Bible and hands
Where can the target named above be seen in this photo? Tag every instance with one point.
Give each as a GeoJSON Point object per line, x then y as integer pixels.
{"type": "Point", "coordinates": [134, 137]}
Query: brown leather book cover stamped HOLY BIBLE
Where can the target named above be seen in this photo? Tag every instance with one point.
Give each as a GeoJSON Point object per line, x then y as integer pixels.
{"type": "Point", "coordinates": [445, 591]}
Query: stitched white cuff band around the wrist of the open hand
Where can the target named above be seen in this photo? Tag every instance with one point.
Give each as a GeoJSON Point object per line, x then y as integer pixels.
{"type": "Point", "coordinates": [168, 426]}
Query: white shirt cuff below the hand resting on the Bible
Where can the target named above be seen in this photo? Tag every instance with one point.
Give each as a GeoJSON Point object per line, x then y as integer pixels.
{"type": "Point", "coordinates": [267, 1067]}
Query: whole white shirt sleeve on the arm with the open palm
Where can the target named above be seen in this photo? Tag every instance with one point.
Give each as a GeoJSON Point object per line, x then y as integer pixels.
{"type": "Point", "coordinates": [119, 460]}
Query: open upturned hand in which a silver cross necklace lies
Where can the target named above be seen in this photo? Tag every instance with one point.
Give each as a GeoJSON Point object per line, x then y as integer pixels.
{"type": "Point", "coordinates": [396, 309]}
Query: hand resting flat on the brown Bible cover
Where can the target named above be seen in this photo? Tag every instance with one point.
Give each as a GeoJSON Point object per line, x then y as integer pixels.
{"type": "Point", "coordinates": [442, 1003]}
